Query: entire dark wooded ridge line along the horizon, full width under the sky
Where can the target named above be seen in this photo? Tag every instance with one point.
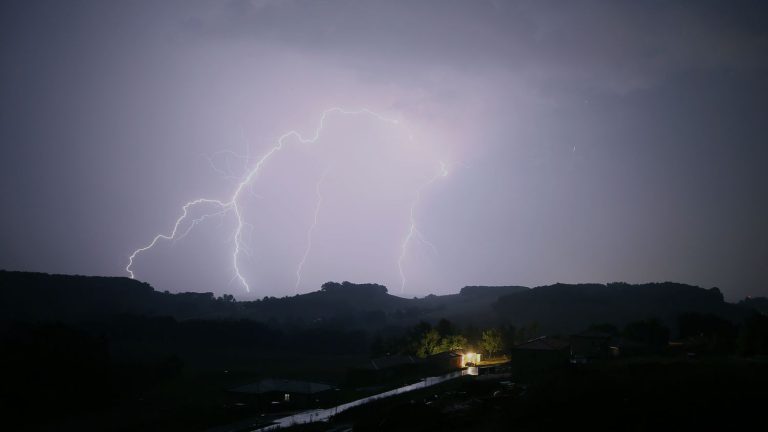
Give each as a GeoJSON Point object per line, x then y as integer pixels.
{"type": "Point", "coordinates": [556, 308]}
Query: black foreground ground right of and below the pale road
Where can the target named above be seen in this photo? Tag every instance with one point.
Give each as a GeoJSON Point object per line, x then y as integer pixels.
{"type": "Point", "coordinates": [638, 395]}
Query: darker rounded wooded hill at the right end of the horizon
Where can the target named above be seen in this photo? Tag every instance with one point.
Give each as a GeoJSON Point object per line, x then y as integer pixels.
{"type": "Point", "coordinates": [563, 308]}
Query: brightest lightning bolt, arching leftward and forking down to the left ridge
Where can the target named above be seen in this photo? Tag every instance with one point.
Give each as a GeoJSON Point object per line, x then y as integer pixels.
{"type": "Point", "coordinates": [232, 204]}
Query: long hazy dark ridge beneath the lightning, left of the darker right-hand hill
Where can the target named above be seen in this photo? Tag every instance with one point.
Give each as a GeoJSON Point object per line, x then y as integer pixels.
{"type": "Point", "coordinates": [69, 298]}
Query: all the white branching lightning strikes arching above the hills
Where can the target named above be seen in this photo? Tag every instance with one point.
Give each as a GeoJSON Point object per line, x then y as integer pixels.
{"type": "Point", "coordinates": [184, 224]}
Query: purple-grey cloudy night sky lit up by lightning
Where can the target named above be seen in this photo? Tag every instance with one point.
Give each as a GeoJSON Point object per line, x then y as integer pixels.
{"type": "Point", "coordinates": [584, 141]}
